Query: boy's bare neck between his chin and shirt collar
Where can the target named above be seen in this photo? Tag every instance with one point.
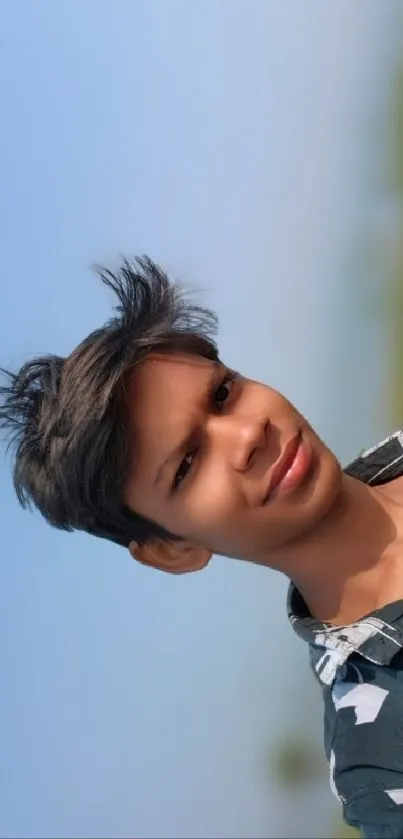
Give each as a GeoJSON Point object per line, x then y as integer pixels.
{"type": "Point", "coordinates": [350, 565]}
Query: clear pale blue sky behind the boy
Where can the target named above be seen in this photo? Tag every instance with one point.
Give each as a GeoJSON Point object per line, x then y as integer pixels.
{"type": "Point", "coordinates": [221, 138]}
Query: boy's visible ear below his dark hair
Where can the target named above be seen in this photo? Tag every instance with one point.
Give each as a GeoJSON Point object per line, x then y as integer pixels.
{"type": "Point", "coordinates": [174, 557]}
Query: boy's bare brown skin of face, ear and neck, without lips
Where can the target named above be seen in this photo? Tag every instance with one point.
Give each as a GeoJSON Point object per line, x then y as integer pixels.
{"type": "Point", "coordinates": [337, 539]}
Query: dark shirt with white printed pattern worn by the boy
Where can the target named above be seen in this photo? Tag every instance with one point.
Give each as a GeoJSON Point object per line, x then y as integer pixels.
{"type": "Point", "coordinates": [360, 670]}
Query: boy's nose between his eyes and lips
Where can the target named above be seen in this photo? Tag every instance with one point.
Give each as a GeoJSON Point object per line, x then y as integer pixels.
{"type": "Point", "coordinates": [241, 438]}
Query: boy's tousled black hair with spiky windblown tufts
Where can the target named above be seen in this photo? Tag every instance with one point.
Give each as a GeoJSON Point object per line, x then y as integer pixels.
{"type": "Point", "coordinates": [64, 415]}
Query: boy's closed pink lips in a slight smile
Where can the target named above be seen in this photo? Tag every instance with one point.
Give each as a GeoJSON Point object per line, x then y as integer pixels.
{"type": "Point", "coordinates": [290, 469]}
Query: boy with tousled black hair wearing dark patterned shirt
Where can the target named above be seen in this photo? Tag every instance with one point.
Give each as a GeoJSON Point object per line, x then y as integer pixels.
{"type": "Point", "coordinates": [144, 437]}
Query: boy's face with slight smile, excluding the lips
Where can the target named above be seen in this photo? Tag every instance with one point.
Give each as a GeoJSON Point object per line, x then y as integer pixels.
{"type": "Point", "coordinates": [204, 448]}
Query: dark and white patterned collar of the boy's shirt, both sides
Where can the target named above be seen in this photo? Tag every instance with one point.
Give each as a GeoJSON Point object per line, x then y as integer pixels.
{"type": "Point", "coordinates": [378, 636]}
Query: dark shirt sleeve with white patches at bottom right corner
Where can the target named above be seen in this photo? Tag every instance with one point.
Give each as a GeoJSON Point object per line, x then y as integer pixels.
{"type": "Point", "coordinates": [364, 736]}
